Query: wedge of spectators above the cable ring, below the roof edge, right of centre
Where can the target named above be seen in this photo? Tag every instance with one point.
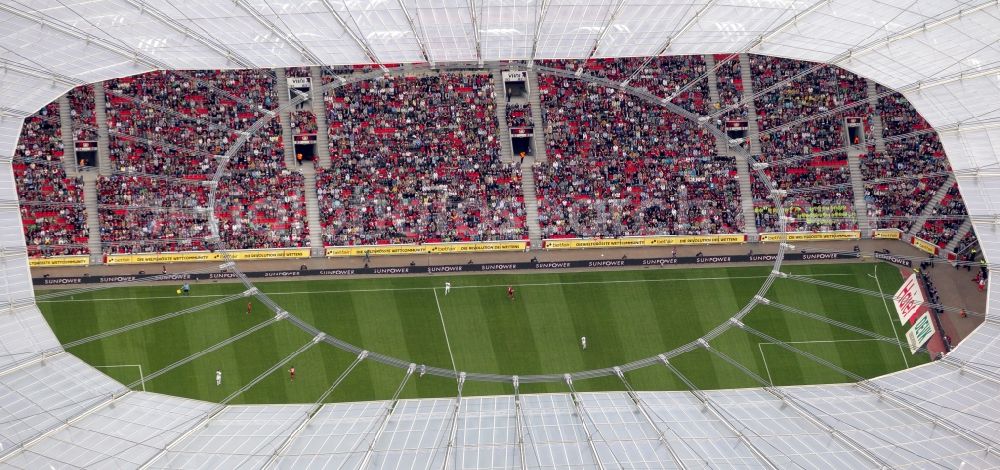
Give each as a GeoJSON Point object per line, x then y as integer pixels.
{"type": "Point", "coordinates": [663, 76]}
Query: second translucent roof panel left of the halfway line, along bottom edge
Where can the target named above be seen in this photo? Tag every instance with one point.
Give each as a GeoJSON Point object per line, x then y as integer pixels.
{"type": "Point", "coordinates": [338, 435]}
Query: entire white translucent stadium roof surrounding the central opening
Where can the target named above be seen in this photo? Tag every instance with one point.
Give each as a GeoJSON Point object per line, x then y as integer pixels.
{"type": "Point", "coordinates": [943, 55]}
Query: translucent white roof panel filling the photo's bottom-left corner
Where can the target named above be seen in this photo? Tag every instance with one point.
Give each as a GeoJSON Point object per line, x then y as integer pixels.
{"type": "Point", "coordinates": [124, 434]}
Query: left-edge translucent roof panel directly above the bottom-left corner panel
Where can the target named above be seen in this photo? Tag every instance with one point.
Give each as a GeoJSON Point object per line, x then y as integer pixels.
{"type": "Point", "coordinates": [39, 397]}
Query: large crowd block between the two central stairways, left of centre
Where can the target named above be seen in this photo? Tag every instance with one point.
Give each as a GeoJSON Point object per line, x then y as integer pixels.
{"type": "Point", "coordinates": [416, 159]}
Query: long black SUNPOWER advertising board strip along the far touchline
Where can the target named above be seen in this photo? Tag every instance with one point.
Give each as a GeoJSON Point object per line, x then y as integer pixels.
{"type": "Point", "coordinates": [448, 268]}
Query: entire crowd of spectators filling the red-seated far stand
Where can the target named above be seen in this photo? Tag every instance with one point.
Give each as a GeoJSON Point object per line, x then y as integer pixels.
{"type": "Point", "coordinates": [415, 158]}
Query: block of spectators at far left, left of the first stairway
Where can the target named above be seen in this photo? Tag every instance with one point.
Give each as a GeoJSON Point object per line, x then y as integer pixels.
{"type": "Point", "coordinates": [52, 214]}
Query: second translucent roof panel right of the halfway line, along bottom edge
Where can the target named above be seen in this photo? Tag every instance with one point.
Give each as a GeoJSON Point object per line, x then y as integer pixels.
{"type": "Point", "coordinates": [554, 436]}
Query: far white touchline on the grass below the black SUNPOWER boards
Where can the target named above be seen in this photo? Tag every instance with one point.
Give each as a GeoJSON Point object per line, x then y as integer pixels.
{"type": "Point", "coordinates": [392, 289]}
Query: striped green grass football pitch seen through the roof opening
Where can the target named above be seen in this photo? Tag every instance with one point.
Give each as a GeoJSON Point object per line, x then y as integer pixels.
{"type": "Point", "coordinates": [625, 315]}
